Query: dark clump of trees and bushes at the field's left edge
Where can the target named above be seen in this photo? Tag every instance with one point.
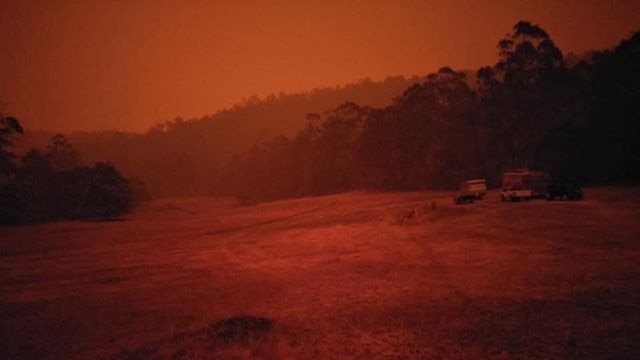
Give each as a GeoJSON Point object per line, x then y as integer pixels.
{"type": "Point", "coordinates": [54, 184]}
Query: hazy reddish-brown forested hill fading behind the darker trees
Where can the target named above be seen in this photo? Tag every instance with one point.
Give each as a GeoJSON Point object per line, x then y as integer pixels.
{"type": "Point", "coordinates": [182, 156]}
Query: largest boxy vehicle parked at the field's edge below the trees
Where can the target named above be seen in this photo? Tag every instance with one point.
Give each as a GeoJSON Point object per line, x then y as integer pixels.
{"type": "Point", "coordinates": [524, 184]}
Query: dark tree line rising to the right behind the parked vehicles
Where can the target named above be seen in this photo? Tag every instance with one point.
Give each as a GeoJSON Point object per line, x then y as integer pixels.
{"type": "Point", "coordinates": [580, 122]}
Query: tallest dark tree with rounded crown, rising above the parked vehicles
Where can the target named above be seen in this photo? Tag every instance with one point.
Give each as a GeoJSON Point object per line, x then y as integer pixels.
{"type": "Point", "coordinates": [523, 94]}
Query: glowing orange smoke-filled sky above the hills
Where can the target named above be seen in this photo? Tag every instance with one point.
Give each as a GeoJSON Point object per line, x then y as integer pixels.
{"type": "Point", "coordinates": [69, 65]}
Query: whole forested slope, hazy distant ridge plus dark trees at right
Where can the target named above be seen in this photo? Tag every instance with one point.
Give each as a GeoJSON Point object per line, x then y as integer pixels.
{"type": "Point", "coordinates": [577, 118]}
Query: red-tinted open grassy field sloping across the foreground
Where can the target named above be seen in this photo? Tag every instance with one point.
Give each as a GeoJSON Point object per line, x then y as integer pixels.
{"type": "Point", "coordinates": [350, 276]}
